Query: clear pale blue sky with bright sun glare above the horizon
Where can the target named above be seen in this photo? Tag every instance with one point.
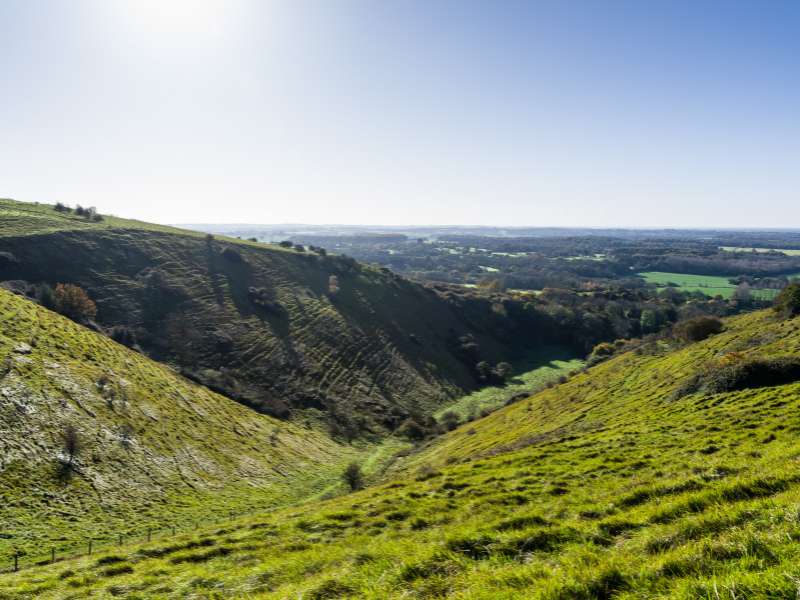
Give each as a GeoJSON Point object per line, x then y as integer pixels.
{"type": "Point", "coordinates": [564, 113]}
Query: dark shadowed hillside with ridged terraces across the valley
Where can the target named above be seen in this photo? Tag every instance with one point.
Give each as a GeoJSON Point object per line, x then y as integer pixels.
{"type": "Point", "coordinates": [277, 329]}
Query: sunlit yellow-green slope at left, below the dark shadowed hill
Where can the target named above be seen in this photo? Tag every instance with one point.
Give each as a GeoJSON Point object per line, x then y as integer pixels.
{"type": "Point", "coordinates": [153, 449]}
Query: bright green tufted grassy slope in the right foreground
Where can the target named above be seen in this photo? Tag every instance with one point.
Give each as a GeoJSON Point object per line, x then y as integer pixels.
{"type": "Point", "coordinates": [619, 483]}
